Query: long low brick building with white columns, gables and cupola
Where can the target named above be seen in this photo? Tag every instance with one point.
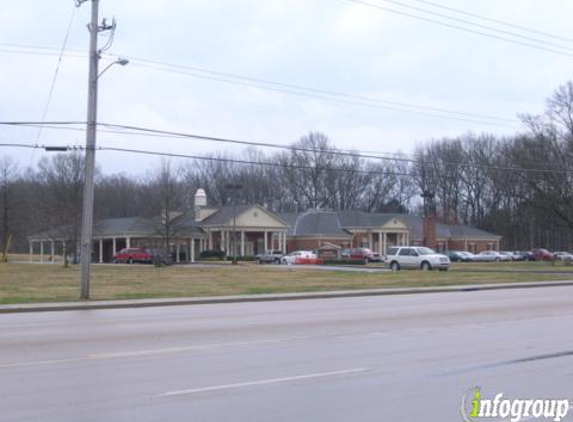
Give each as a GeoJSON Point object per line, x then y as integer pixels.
{"type": "Point", "coordinates": [248, 230]}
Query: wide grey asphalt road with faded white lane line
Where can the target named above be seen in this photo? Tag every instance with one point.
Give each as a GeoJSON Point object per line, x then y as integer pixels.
{"type": "Point", "coordinates": [392, 358]}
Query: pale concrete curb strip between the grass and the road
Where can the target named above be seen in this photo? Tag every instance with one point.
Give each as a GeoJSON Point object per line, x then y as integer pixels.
{"type": "Point", "coordinates": [146, 303]}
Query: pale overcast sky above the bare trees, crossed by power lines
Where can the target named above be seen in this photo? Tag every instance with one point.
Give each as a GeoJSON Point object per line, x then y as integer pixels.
{"type": "Point", "coordinates": [329, 45]}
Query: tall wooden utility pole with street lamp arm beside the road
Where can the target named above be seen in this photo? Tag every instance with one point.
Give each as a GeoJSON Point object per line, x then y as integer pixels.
{"type": "Point", "coordinates": [91, 129]}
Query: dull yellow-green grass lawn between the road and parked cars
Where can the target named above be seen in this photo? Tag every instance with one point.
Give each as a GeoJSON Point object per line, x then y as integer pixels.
{"type": "Point", "coordinates": [21, 283]}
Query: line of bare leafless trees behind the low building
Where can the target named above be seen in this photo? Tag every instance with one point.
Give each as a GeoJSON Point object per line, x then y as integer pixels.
{"type": "Point", "coordinates": [519, 186]}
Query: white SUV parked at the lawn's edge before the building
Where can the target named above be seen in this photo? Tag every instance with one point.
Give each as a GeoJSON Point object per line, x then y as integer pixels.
{"type": "Point", "coordinates": [416, 257]}
